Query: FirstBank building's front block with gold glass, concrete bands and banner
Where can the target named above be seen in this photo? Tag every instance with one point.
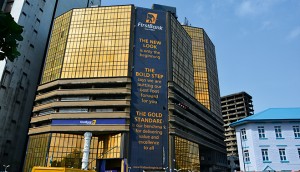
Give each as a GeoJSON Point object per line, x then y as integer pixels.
{"type": "Point", "coordinates": [118, 89]}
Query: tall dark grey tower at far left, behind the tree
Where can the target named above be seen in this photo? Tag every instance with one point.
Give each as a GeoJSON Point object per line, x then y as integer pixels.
{"type": "Point", "coordinates": [19, 79]}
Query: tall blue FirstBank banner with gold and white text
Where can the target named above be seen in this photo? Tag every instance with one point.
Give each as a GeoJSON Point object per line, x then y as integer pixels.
{"type": "Point", "coordinates": [149, 97]}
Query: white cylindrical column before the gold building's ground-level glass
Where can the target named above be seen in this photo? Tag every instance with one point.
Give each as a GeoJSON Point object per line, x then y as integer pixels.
{"type": "Point", "coordinates": [86, 150]}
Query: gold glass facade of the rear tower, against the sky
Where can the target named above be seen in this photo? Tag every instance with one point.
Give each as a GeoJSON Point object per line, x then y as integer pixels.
{"type": "Point", "coordinates": [207, 90]}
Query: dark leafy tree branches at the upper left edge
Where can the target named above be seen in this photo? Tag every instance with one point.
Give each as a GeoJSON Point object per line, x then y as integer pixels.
{"type": "Point", "coordinates": [10, 33]}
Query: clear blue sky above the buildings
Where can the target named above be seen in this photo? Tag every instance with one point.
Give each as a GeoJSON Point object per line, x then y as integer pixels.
{"type": "Point", "coordinates": [257, 45]}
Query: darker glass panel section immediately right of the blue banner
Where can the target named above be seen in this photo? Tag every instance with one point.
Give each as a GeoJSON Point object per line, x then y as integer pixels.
{"type": "Point", "coordinates": [183, 71]}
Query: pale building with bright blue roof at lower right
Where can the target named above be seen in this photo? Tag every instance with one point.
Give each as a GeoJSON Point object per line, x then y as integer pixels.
{"type": "Point", "coordinates": [269, 140]}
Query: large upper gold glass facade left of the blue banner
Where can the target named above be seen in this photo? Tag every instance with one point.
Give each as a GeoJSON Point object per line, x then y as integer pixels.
{"type": "Point", "coordinates": [88, 43]}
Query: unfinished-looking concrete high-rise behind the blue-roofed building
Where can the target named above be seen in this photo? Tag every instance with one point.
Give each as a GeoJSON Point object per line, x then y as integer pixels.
{"type": "Point", "coordinates": [234, 107]}
